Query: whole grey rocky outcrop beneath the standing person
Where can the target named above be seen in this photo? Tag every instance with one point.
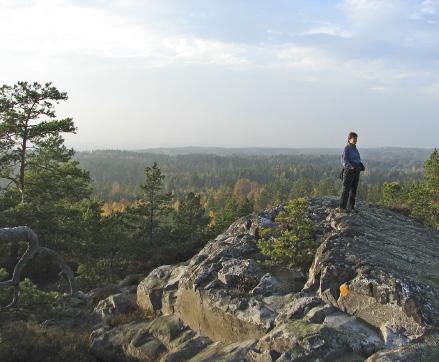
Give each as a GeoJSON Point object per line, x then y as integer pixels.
{"type": "Point", "coordinates": [227, 303]}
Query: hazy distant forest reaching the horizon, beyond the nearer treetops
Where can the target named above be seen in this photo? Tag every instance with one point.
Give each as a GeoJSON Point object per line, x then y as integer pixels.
{"type": "Point", "coordinates": [258, 174]}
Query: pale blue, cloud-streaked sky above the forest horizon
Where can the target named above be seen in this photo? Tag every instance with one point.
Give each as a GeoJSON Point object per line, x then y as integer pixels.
{"type": "Point", "coordinates": [233, 73]}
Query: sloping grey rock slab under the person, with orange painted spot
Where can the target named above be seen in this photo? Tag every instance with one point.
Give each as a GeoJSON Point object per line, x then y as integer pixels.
{"type": "Point", "coordinates": [389, 263]}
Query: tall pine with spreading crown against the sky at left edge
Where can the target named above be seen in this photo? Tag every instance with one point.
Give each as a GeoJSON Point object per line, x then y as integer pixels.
{"type": "Point", "coordinates": [27, 127]}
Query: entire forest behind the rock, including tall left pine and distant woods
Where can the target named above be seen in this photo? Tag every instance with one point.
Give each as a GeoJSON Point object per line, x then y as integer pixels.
{"type": "Point", "coordinates": [112, 213]}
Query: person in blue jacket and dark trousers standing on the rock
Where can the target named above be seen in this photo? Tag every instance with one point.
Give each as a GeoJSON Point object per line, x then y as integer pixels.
{"type": "Point", "coordinates": [352, 166]}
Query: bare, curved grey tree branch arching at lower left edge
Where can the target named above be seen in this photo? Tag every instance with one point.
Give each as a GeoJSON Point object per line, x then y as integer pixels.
{"type": "Point", "coordinates": [24, 233]}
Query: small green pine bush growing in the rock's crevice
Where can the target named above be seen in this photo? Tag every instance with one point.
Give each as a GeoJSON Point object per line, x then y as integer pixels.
{"type": "Point", "coordinates": [292, 239]}
